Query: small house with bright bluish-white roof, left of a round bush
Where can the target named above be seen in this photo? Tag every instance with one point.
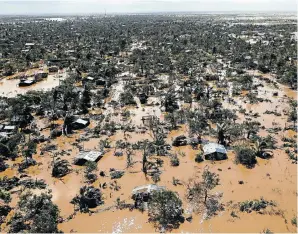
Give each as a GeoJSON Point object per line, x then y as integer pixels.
{"type": "Point", "coordinates": [213, 151]}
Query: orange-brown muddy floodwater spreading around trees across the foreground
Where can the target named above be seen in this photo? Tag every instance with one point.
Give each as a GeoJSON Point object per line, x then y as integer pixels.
{"type": "Point", "coordinates": [274, 179]}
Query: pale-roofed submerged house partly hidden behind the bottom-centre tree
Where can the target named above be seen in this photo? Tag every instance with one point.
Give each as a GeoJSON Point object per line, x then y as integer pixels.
{"type": "Point", "coordinates": [142, 193]}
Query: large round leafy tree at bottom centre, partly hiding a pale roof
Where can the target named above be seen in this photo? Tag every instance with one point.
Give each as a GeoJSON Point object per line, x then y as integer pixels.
{"type": "Point", "coordinates": [165, 208]}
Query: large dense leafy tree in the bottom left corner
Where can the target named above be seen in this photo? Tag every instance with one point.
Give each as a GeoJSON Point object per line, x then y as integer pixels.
{"type": "Point", "coordinates": [35, 214]}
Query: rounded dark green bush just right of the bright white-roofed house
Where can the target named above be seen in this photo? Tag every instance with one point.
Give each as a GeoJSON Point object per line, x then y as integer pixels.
{"type": "Point", "coordinates": [245, 156]}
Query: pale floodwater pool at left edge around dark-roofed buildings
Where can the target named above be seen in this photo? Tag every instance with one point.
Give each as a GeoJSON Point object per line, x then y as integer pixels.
{"type": "Point", "coordinates": [10, 88]}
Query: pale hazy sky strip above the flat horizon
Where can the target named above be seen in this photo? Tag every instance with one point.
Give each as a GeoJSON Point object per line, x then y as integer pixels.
{"type": "Point", "coordinates": [8, 7]}
